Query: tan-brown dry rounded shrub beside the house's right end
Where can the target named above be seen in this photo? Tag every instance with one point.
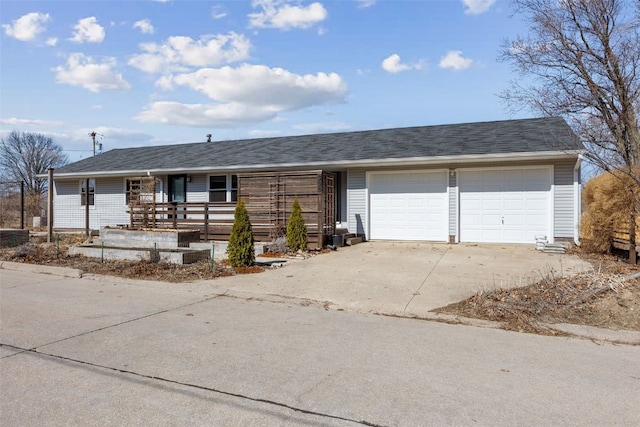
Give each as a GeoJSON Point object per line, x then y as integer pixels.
{"type": "Point", "coordinates": [608, 207]}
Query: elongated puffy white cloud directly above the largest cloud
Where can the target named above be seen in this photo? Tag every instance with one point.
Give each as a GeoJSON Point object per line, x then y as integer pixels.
{"type": "Point", "coordinates": [179, 52]}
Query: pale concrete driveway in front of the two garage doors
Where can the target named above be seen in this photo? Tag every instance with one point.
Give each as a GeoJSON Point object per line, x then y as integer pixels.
{"type": "Point", "coordinates": [401, 278]}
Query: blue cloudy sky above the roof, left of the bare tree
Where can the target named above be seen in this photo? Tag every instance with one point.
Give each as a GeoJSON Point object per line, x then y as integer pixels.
{"type": "Point", "coordinates": [162, 72]}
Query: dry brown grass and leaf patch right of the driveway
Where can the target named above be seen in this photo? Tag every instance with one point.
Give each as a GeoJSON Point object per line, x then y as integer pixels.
{"type": "Point", "coordinates": [604, 297]}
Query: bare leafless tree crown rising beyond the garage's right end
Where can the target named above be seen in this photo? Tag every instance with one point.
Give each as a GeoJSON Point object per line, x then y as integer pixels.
{"type": "Point", "coordinates": [584, 57]}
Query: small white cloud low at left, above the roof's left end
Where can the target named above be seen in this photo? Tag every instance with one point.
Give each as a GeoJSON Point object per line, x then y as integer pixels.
{"type": "Point", "coordinates": [95, 76]}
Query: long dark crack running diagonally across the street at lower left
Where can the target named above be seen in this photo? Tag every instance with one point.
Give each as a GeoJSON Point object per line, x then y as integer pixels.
{"type": "Point", "coordinates": [197, 386]}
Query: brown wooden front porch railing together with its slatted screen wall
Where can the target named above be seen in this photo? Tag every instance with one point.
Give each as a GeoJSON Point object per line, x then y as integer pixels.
{"type": "Point", "coordinates": [268, 196]}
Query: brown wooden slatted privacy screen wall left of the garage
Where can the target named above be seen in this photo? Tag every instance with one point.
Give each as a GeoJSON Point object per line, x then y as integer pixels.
{"type": "Point", "coordinates": [269, 200]}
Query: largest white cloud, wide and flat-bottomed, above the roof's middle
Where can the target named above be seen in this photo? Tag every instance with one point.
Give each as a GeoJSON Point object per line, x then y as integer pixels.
{"type": "Point", "coordinates": [243, 95]}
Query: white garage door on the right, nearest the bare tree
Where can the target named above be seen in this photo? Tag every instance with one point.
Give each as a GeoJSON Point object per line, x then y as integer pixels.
{"type": "Point", "coordinates": [504, 206]}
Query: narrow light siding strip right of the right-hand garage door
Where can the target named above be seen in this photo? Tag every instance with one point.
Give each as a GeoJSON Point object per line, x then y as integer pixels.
{"type": "Point", "coordinates": [564, 200]}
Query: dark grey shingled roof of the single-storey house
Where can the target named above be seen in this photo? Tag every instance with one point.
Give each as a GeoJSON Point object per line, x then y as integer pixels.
{"type": "Point", "coordinates": [498, 137]}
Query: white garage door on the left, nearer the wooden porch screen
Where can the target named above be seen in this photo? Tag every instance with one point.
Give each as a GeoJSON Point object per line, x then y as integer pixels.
{"type": "Point", "coordinates": [408, 206]}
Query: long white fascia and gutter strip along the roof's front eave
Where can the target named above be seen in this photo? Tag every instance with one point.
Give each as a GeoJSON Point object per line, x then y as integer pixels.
{"type": "Point", "coordinates": [402, 161]}
